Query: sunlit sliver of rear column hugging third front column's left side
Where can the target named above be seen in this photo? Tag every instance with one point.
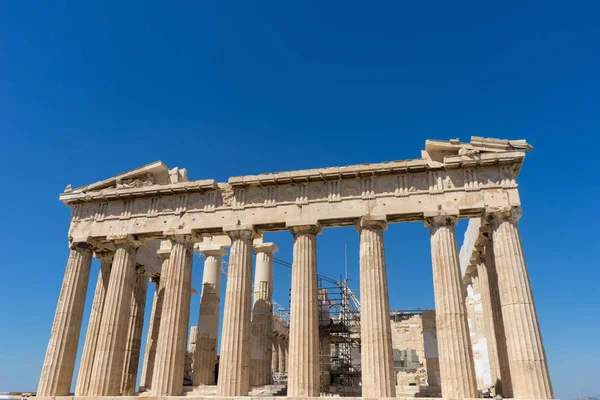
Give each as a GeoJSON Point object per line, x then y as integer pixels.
{"type": "Point", "coordinates": [154, 328]}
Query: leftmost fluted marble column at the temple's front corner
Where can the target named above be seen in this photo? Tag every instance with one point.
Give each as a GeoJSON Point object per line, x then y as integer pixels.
{"type": "Point", "coordinates": [59, 363]}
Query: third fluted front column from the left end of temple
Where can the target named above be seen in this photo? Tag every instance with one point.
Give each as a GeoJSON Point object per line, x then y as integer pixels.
{"type": "Point", "coordinates": [169, 366]}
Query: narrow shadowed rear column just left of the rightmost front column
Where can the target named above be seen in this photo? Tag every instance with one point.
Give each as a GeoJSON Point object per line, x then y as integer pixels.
{"type": "Point", "coordinates": [504, 387]}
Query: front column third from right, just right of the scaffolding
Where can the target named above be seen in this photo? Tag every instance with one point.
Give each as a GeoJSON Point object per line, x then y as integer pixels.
{"type": "Point", "coordinates": [377, 362]}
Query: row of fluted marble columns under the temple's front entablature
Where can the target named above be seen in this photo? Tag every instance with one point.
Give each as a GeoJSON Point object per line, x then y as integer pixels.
{"type": "Point", "coordinates": [163, 371]}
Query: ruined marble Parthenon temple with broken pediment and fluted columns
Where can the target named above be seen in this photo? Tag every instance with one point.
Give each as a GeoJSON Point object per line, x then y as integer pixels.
{"type": "Point", "coordinates": [145, 227]}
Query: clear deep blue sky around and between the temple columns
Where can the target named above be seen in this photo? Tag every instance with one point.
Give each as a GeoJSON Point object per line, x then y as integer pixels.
{"type": "Point", "coordinates": [91, 89]}
